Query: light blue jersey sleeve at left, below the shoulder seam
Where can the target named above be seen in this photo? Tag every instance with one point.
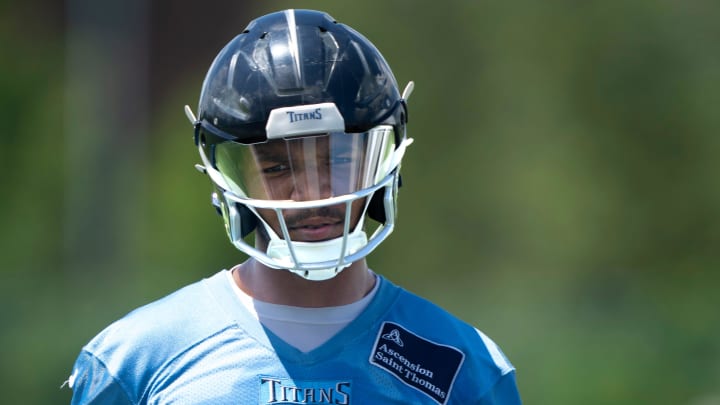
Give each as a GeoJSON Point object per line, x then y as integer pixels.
{"type": "Point", "coordinates": [92, 383]}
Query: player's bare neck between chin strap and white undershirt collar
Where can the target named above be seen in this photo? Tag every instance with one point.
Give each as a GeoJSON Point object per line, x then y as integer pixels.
{"type": "Point", "coordinates": [286, 288]}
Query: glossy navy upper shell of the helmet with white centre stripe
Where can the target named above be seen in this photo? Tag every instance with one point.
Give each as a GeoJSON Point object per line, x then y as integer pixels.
{"type": "Point", "coordinates": [292, 58]}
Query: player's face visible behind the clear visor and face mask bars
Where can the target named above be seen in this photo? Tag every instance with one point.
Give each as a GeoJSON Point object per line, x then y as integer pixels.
{"type": "Point", "coordinates": [314, 168]}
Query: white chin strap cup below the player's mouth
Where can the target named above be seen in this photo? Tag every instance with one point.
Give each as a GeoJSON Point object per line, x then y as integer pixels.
{"type": "Point", "coordinates": [294, 255]}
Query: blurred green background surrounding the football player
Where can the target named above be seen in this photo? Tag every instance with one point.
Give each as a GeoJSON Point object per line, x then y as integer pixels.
{"type": "Point", "coordinates": [562, 193]}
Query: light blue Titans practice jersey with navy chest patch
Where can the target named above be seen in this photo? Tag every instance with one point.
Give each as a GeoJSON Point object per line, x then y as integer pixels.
{"type": "Point", "coordinates": [200, 345]}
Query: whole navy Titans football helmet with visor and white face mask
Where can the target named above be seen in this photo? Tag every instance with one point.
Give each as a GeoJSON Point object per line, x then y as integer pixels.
{"type": "Point", "coordinates": [302, 129]}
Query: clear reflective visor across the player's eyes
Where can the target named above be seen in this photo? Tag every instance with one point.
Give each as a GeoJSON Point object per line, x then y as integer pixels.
{"type": "Point", "coordinates": [307, 168]}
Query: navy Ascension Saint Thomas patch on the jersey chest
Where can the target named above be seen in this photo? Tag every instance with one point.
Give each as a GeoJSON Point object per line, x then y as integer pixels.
{"type": "Point", "coordinates": [422, 364]}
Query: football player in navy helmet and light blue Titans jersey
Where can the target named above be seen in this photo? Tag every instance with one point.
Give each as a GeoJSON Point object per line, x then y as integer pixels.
{"type": "Point", "coordinates": [301, 128]}
